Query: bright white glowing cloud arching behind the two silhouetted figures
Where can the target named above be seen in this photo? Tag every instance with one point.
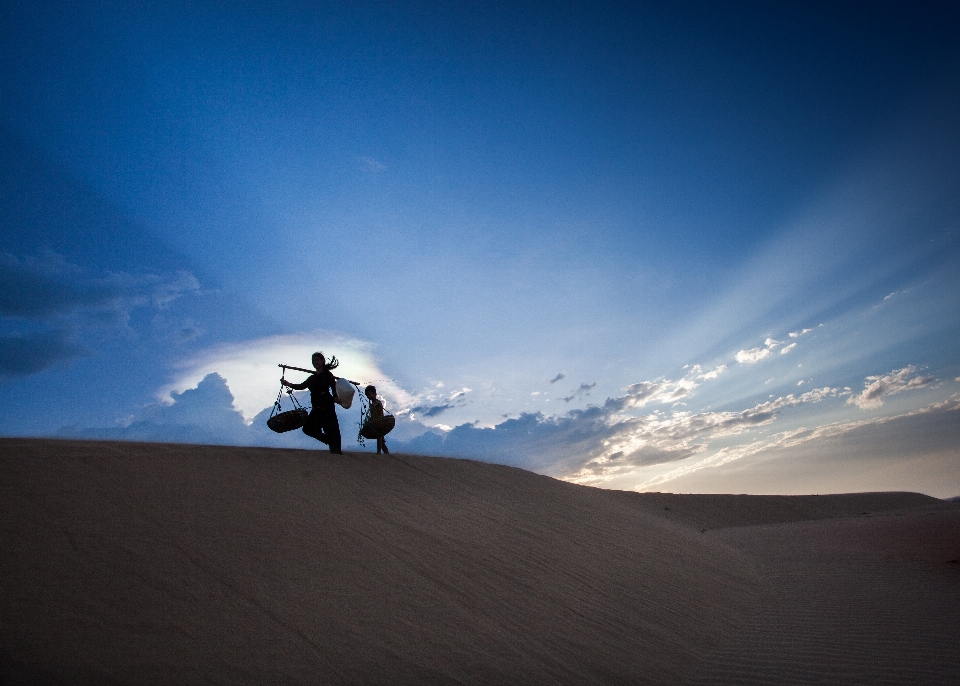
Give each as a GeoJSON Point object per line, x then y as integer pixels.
{"type": "Point", "coordinates": [251, 372]}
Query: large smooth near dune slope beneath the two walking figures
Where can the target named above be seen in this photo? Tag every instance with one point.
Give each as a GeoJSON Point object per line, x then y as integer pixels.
{"type": "Point", "coordinates": [141, 563]}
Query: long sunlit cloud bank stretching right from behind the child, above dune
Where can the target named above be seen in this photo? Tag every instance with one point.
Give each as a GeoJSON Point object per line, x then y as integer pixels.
{"type": "Point", "coordinates": [602, 442]}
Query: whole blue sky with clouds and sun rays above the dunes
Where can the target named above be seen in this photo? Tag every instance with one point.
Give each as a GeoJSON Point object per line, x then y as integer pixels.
{"type": "Point", "coordinates": [689, 247]}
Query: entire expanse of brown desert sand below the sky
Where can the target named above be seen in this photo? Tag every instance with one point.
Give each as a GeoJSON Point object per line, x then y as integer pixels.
{"type": "Point", "coordinates": [165, 564]}
